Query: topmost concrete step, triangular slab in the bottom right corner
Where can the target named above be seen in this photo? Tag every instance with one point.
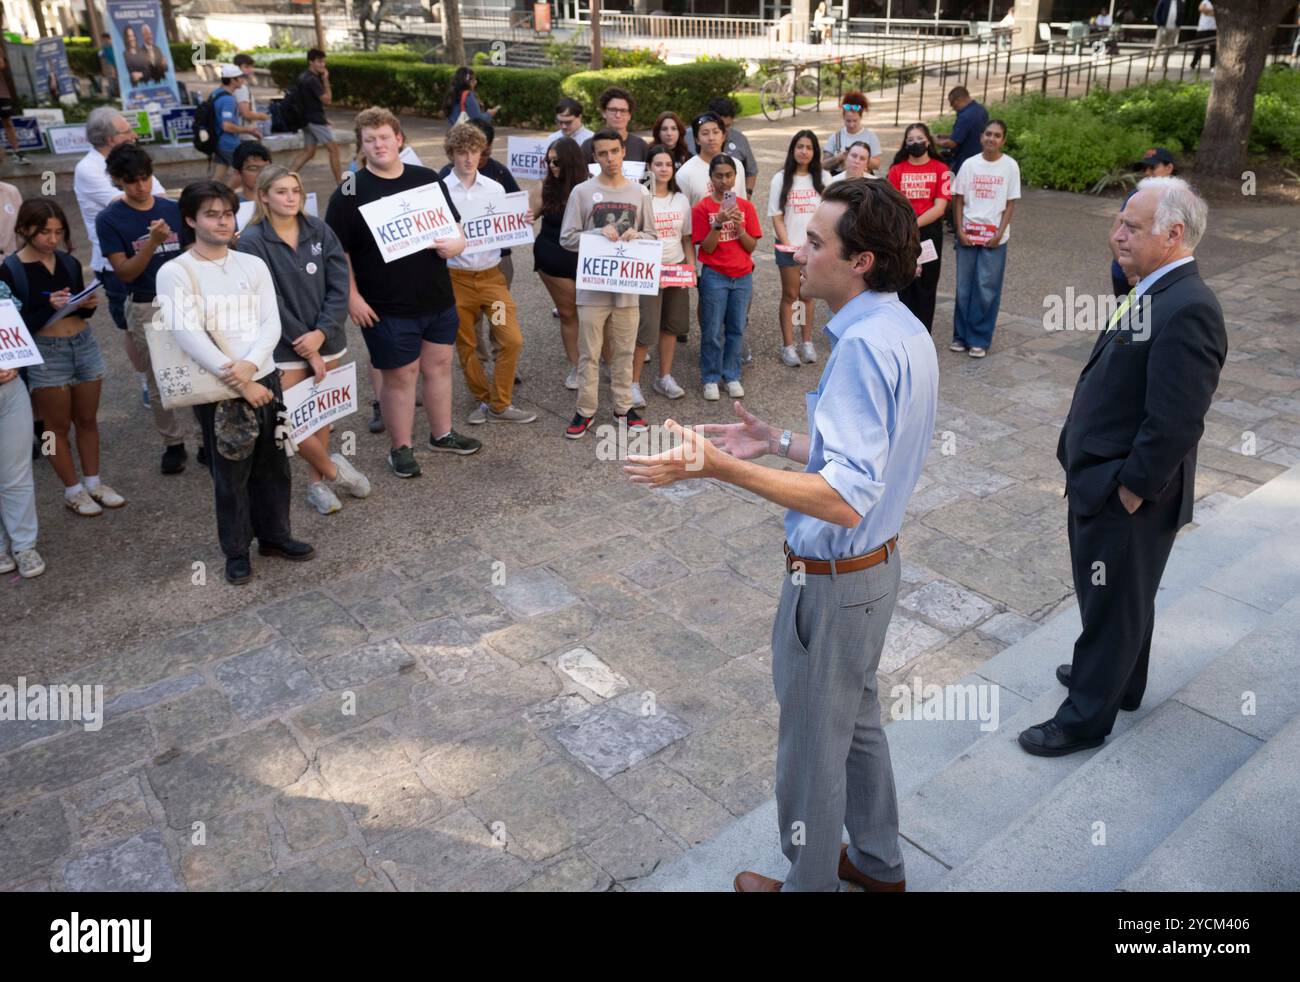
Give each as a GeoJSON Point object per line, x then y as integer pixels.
{"type": "Point", "coordinates": [1243, 837]}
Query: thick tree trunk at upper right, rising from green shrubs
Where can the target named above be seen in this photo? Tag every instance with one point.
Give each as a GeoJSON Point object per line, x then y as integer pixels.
{"type": "Point", "coordinates": [1246, 29]}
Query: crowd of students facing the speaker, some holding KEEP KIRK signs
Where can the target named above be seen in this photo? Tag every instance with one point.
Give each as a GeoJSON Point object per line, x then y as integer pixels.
{"type": "Point", "coordinates": [167, 263]}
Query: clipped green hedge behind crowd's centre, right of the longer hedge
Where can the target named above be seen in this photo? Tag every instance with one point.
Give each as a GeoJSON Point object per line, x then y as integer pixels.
{"type": "Point", "coordinates": [683, 89]}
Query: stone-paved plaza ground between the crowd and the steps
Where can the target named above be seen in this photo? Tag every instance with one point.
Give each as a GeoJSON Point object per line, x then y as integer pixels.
{"type": "Point", "coordinates": [575, 689]}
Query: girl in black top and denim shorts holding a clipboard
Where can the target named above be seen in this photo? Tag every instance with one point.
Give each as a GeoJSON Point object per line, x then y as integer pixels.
{"type": "Point", "coordinates": [66, 390]}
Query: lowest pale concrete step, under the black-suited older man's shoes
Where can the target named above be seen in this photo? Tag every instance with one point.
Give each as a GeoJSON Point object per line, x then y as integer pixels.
{"type": "Point", "coordinates": [955, 763]}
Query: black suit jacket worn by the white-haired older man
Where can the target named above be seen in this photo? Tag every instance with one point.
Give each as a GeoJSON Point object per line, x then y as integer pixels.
{"type": "Point", "coordinates": [1139, 405]}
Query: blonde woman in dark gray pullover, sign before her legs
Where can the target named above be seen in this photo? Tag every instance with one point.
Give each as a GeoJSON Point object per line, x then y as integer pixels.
{"type": "Point", "coordinates": [310, 271]}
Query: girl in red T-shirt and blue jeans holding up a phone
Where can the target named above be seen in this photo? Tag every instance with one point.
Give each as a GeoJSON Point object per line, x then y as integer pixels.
{"type": "Point", "coordinates": [726, 231]}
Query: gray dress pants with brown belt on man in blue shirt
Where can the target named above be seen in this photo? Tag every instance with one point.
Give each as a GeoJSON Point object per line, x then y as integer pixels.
{"type": "Point", "coordinates": [833, 759]}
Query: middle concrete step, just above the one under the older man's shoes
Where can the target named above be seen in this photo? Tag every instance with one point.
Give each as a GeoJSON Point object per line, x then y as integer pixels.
{"type": "Point", "coordinates": [1094, 830]}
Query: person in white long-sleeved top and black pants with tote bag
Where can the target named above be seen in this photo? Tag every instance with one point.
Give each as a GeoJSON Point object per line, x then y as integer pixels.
{"type": "Point", "coordinates": [223, 308]}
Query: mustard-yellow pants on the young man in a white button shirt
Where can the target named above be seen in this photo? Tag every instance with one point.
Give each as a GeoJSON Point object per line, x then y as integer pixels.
{"type": "Point", "coordinates": [486, 292]}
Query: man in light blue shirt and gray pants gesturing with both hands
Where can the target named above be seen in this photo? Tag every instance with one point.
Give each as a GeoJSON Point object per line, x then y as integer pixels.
{"type": "Point", "coordinates": [870, 427]}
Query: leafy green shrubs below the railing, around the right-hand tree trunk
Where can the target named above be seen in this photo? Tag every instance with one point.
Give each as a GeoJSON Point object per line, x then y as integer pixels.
{"type": "Point", "coordinates": [1072, 145]}
